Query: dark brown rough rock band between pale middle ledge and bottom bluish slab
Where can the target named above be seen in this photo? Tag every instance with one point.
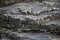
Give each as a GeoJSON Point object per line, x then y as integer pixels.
{"type": "Point", "coordinates": [12, 24]}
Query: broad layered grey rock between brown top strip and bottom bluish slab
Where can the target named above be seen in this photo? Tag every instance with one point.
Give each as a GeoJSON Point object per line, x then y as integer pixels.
{"type": "Point", "coordinates": [11, 16]}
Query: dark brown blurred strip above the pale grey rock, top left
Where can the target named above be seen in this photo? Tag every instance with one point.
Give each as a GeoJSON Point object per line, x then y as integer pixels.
{"type": "Point", "coordinates": [7, 2]}
